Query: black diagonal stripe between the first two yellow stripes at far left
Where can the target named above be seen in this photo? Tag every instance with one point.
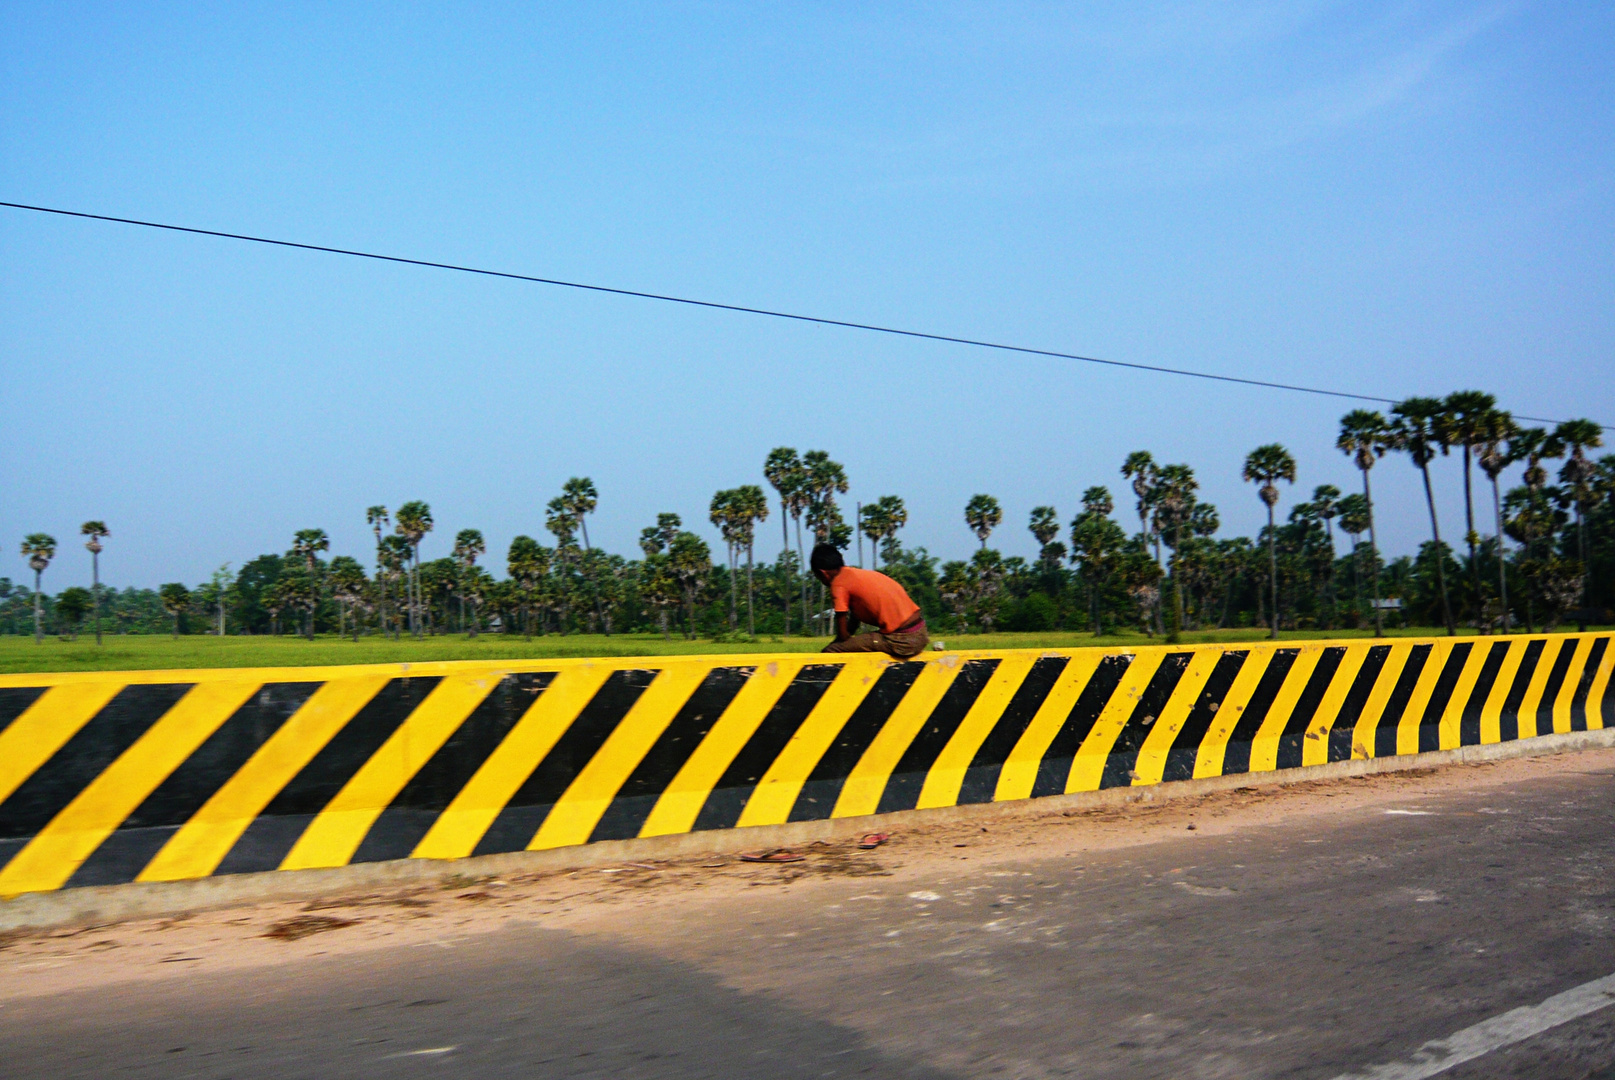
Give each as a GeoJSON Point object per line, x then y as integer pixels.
{"type": "Point", "coordinates": [82, 760]}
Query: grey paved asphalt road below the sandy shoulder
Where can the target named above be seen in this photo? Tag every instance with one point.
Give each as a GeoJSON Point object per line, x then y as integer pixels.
{"type": "Point", "coordinates": [1312, 950]}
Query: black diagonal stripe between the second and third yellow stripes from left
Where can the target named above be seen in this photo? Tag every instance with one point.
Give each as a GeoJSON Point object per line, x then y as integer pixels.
{"type": "Point", "coordinates": [125, 853]}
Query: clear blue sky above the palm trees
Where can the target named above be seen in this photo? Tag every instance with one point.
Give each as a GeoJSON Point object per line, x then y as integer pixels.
{"type": "Point", "coordinates": [1382, 198]}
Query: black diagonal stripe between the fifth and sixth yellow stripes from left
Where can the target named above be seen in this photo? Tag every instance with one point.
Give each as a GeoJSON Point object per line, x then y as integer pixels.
{"type": "Point", "coordinates": [521, 819]}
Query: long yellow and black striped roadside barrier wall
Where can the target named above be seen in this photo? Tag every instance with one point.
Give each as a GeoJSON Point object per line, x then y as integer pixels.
{"type": "Point", "coordinates": [169, 776]}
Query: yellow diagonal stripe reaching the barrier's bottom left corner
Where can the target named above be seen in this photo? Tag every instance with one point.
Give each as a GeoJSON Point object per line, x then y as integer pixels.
{"type": "Point", "coordinates": [80, 829]}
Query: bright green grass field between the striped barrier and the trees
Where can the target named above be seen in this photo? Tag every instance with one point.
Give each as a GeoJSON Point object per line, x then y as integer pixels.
{"type": "Point", "coordinates": [146, 653]}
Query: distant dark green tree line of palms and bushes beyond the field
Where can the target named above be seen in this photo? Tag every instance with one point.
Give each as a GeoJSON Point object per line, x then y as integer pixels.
{"type": "Point", "coordinates": [1546, 555]}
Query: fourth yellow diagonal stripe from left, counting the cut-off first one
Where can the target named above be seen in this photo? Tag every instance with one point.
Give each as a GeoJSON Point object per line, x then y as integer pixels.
{"type": "Point", "coordinates": [337, 832]}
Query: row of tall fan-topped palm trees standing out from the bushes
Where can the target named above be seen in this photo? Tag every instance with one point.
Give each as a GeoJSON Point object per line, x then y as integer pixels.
{"type": "Point", "coordinates": [808, 485]}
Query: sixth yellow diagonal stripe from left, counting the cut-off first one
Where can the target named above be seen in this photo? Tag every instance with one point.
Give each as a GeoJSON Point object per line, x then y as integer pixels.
{"type": "Point", "coordinates": [581, 806]}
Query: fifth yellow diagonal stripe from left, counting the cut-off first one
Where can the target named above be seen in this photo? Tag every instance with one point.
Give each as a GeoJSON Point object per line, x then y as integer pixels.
{"type": "Point", "coordinates": [463, 824]}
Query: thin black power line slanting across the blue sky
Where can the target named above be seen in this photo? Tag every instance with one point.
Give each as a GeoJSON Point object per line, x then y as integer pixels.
{"type": "Point", "coordinates": [726, 308]}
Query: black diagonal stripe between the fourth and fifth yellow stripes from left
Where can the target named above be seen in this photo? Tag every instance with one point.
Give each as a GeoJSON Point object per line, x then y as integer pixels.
{"type": "Point", "coordinates": [416, 808]}
